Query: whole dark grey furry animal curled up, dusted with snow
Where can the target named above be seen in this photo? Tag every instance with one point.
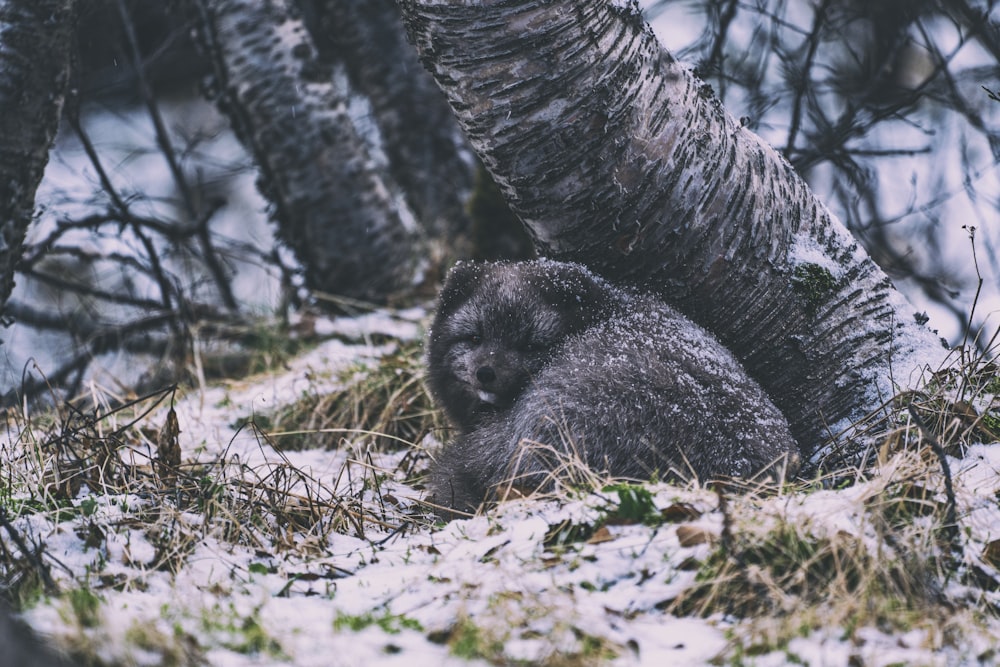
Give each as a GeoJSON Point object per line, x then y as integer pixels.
{"type": "Point", "coordinates": [535, 362]}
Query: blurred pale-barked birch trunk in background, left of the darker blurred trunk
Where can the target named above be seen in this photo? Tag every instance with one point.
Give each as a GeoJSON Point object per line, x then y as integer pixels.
{"type": "Point", "coordinates": [333, 207]}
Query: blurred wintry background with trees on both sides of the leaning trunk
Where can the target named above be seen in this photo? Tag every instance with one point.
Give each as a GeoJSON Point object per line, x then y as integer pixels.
{"type": "Point", "coordinates": [221, 163]}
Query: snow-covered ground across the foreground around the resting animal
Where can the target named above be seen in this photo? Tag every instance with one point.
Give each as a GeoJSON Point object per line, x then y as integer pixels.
{"type": "Point", "coordinates": [564, 581]}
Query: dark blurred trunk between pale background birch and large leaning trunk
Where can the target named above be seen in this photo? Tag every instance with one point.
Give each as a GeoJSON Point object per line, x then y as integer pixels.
{"type": "Point", "coordinates": [420, 136]}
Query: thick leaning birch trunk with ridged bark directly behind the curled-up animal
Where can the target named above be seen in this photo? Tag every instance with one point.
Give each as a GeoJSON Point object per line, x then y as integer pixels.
{"type": "Point", "coordinates": [616, 156]}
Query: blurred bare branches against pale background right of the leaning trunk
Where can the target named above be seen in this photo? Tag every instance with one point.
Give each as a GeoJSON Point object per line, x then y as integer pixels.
{"type": "Point", "coordinates": [880, 105]}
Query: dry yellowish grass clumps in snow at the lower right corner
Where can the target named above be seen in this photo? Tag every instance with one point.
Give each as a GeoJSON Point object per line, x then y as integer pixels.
{"type": "Point", "coordinates": [908, 561]}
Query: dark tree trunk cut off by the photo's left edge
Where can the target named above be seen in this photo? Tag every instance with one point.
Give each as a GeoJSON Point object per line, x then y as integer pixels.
{"type": "Point", "coordinates": [35, 39]}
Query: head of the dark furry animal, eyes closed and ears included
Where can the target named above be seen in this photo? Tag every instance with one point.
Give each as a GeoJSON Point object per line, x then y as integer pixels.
{"type": "Point", "coordinates": [497, 325]}
